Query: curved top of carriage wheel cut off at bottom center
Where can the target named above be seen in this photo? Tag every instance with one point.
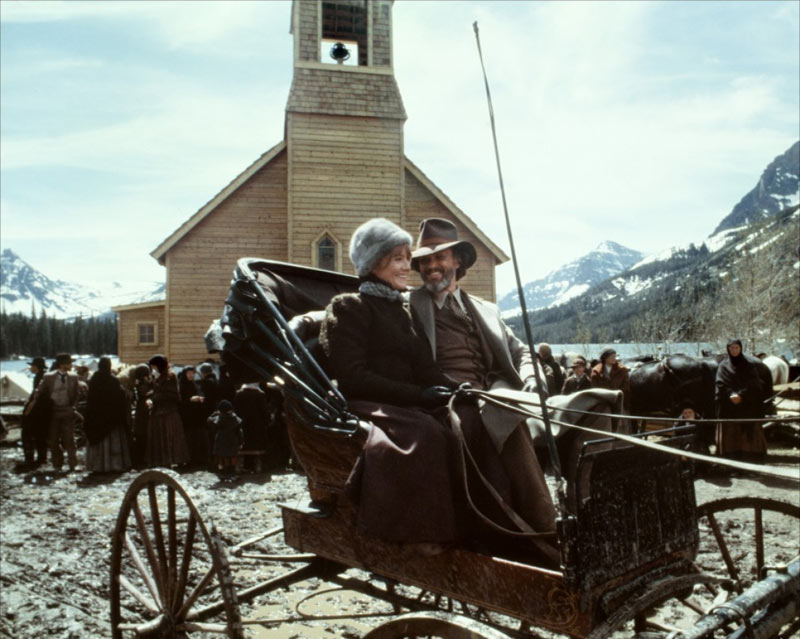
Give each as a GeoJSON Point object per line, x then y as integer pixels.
{"type": "Point", "coordinates": [434, 624]}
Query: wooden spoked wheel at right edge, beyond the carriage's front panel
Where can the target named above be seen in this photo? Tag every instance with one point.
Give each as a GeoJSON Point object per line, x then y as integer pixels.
{"type": "Point", "coordinates": [741, 535]}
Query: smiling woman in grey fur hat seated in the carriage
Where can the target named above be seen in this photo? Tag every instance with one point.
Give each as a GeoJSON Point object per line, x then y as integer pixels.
{"type": "Point", "coordinates": [402, 482]}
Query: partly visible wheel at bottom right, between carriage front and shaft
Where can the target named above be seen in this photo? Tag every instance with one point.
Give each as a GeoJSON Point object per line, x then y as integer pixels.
{"type": "Point", "coordinates": [671, 605]}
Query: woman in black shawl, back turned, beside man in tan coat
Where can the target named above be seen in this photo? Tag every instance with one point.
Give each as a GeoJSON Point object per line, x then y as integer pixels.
{"type": "Point", "coordinates": [106, 422]}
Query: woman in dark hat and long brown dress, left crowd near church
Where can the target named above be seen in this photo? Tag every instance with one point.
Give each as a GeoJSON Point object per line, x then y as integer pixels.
{"type": "Point", "coordinates": [166, 444]}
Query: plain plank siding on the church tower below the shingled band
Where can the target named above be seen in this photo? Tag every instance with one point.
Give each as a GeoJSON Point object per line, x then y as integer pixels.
{"type": "Point", "coordinates": [343, 171]}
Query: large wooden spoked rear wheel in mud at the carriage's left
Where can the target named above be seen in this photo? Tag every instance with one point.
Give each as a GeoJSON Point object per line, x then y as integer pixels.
{"type": "Point", "coordinates": [169, 574]}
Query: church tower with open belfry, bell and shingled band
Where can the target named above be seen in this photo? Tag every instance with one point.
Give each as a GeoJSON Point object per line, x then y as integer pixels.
{"type": "Point", "coordinates": [344, 126]}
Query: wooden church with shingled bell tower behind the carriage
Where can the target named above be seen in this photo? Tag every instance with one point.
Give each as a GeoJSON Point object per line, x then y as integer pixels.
{"type": "Point", "coordinates": [340, 164]}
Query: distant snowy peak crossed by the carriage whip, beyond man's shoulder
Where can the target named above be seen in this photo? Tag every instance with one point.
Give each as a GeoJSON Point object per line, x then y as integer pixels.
{"type": "Point", "coordinates": [573, 279]}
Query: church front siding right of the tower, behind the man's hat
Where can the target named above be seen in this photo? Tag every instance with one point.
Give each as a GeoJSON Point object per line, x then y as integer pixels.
{"type": "Point", "coordinates": [420, 203]}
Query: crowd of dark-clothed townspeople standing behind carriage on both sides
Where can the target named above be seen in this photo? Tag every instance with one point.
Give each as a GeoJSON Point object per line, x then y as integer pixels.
{"type": "Point", "coordinates": [149, 416]}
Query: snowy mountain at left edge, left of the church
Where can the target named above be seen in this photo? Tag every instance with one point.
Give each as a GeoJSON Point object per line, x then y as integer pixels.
{"type": "Point", "coordinates": [23, 288]}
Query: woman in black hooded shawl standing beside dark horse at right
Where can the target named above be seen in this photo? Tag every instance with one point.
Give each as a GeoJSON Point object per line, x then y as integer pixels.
{"type": "Point", "coordinates": [740, 394]}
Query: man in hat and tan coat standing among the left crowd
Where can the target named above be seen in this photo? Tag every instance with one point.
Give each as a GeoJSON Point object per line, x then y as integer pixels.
{"type": "Point", "coordinates": [63, 389]}
